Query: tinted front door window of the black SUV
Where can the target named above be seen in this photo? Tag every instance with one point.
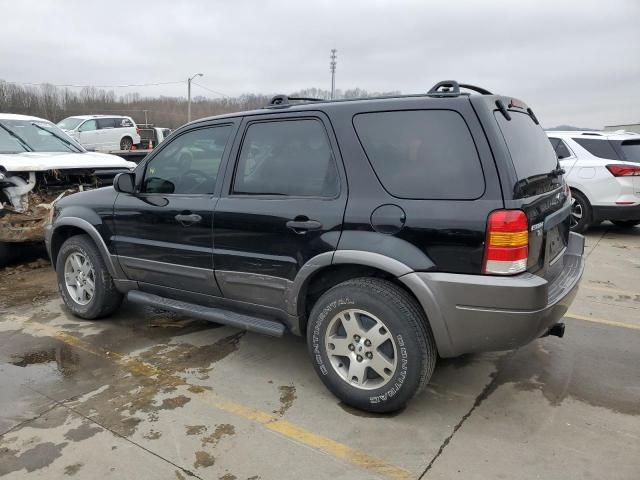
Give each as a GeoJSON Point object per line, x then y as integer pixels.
{"type": "Point", "coordinates": [189, 164]}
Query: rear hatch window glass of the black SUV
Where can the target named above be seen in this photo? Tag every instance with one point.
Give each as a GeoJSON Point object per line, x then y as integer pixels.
{"type": "Point", "coordinates": [530, 149]}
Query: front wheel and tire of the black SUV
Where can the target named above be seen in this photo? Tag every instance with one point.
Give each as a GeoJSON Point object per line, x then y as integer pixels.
{"type": "Point", "coordinates": [105, 299]}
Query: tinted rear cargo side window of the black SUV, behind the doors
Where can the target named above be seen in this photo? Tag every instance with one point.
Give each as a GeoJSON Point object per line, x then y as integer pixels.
{"type": "Point", "coordinates": [422, 154]}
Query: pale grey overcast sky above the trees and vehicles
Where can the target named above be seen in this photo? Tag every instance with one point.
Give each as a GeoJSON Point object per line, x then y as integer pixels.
{"type": "Point", "coordinates": [575, 62]}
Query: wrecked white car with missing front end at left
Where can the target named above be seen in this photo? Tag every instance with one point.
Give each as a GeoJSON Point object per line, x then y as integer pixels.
{"type": "Point", "coordinates": [38, 164]}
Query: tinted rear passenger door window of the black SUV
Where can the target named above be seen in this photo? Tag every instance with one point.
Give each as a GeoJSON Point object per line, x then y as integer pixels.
{"type": "Point", "coordinates": [287, 158]}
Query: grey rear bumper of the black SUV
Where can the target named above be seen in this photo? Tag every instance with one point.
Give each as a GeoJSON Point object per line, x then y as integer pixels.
{"type": "Point", "coordinates": [475, 313]}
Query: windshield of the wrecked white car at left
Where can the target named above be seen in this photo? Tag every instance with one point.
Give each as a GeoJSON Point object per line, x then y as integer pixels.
{"type": "Point", "coordinates": [38, 136]}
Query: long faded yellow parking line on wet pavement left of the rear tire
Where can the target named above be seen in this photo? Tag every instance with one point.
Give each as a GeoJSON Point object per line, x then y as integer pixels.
{"type": "Point", "coordinates": [271, 422]}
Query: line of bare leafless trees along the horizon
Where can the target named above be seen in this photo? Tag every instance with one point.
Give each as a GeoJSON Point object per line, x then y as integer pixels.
{"type": "Point", "coordinates": [55, 103]}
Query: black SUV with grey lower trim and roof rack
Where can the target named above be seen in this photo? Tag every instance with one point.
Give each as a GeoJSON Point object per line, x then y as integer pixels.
{"type": "Point", "coordinates": [389, 231]}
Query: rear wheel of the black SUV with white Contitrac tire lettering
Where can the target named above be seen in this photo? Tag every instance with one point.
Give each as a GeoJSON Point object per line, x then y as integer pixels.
{"type": "Point", "coordinates": [409, 344]}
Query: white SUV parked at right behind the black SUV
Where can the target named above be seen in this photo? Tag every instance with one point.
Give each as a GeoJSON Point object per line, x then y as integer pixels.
{"type": "Point", "coordinates": [603, 172]}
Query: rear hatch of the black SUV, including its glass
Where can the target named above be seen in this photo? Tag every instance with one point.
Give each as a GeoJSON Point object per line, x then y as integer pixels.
{"type": "Point", "coordinates": [535, 186]}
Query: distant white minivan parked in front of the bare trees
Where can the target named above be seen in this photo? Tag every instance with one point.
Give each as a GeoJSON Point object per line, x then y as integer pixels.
{"type": "Point", "coordinates": [102, 132]}
